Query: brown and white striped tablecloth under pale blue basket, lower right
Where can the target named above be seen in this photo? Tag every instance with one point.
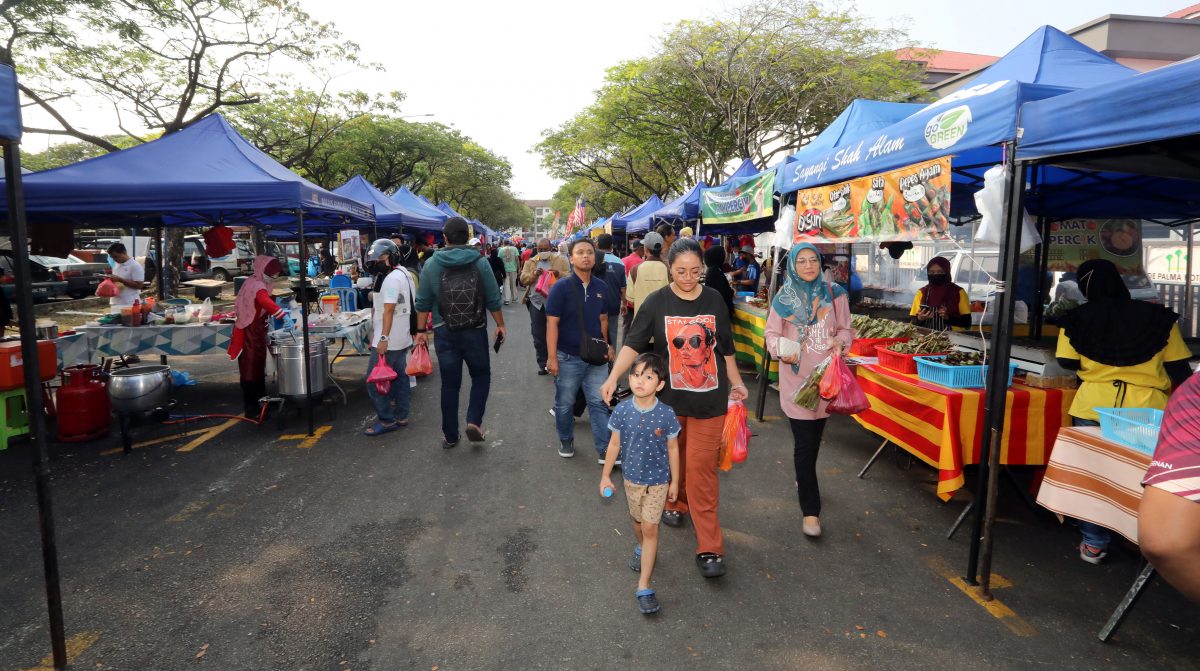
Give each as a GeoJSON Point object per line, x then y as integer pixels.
{"type": "Point", "coordinates": [1094, 480]}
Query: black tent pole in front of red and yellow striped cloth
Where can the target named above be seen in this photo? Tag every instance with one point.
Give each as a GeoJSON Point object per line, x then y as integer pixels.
{"type": "Point", "coordinates": [982, 530]}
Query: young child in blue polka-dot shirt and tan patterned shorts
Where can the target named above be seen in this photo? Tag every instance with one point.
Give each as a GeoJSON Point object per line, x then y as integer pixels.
{"type": "Point", "coordinates": [646, 434]}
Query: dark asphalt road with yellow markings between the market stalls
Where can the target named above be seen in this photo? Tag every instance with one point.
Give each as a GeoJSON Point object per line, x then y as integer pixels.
{"type": "Point", "coordinates": [253, 549]}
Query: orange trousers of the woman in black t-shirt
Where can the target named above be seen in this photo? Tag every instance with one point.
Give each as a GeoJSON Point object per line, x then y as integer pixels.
{"type": "Point", "coordinates": [700, 448]}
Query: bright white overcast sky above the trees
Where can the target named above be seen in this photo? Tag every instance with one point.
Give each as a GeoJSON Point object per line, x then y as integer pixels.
{"type": "Point", "coordinates": [502, 73]}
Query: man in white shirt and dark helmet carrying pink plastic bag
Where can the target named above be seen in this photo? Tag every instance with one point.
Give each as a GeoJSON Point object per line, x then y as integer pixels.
{"type": "Point", "coordinates": [392, 335]}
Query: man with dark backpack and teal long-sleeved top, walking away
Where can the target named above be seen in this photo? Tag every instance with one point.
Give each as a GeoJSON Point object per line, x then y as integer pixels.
{"type": "Point", "coordinates": [457, 292]}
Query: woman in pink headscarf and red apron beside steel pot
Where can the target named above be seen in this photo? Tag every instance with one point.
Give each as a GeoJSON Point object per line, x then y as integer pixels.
{"type": "Point", "coordinates": [249, 342]}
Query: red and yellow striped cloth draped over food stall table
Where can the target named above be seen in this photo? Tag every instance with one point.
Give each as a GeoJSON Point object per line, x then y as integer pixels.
{"type": "Point", "coordinates": [944, 427]}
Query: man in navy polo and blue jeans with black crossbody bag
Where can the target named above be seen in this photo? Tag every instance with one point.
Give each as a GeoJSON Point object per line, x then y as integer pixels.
{"type": "Point", "coordinates": [568, 298]}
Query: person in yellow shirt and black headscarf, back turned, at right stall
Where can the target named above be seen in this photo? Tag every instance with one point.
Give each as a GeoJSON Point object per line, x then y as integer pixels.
{"type": "Point", "coordinates": [1129, 355]}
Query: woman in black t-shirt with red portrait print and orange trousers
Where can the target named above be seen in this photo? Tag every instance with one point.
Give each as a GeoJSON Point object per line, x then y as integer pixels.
{"type": "Point", "coordinates": [689, 326]}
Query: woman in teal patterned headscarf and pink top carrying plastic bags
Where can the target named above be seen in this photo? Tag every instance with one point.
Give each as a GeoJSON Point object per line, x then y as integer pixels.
{"type": "Point", "coordinates": [809, 321]}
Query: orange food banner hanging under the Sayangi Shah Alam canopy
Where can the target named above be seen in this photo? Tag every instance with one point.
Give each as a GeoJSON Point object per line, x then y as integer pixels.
{"type": "Point", "coordinates": [913, 203]}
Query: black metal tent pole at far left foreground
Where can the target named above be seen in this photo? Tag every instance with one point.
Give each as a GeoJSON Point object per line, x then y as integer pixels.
{"type": "Point", "coordinates": [34, 402]}
